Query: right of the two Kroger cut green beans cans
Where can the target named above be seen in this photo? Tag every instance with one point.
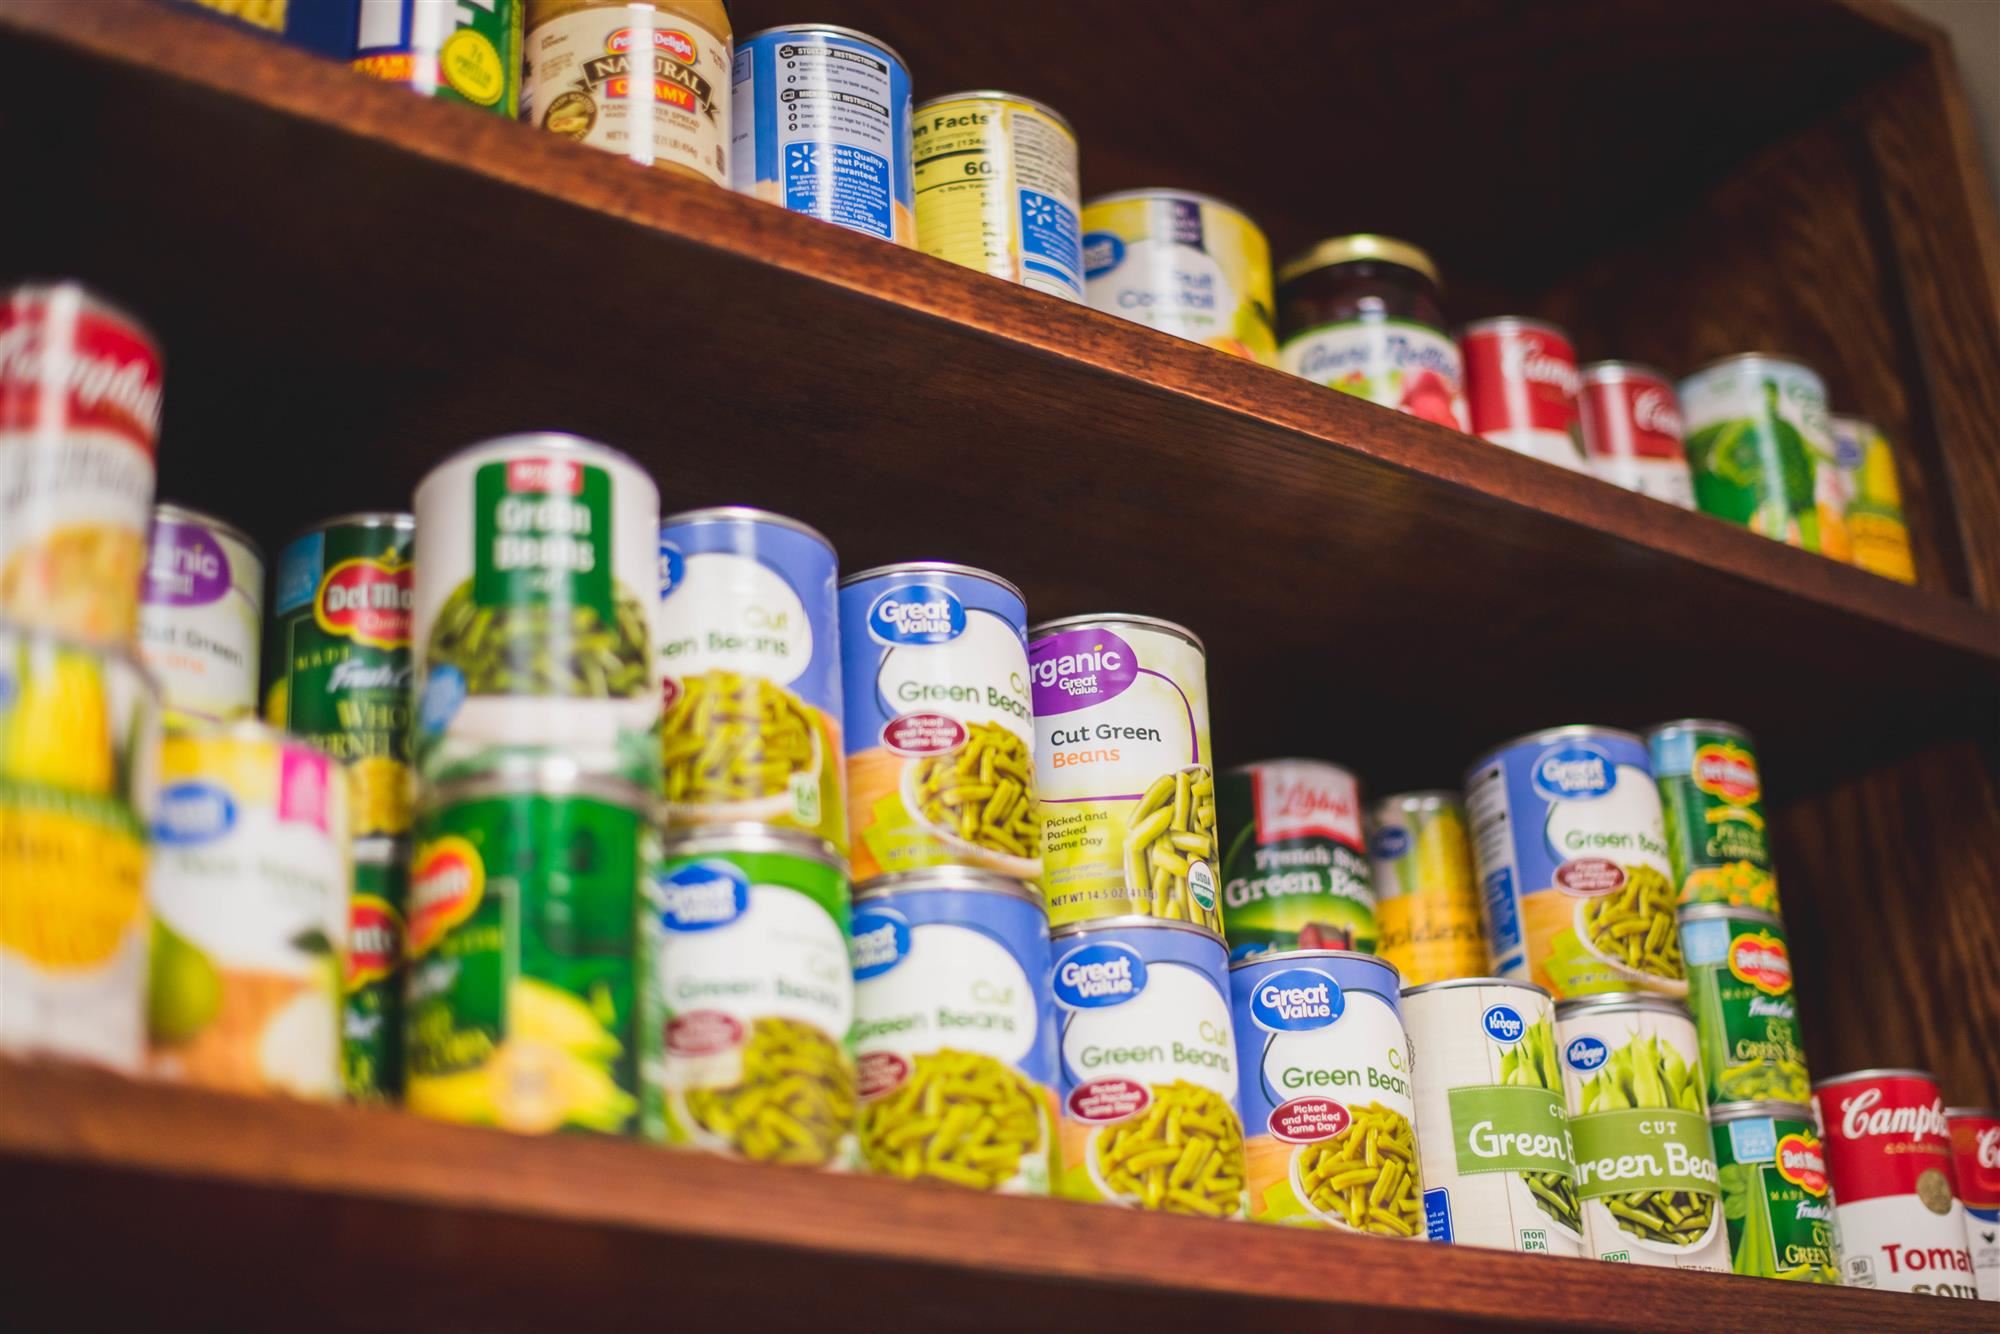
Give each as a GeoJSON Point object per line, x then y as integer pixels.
{"type": "Point", "coordinates": [1639, 1129]}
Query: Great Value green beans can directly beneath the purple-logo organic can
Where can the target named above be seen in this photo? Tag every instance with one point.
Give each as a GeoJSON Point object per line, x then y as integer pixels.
{"type": "Point", "coordinates": [1149, 1069]}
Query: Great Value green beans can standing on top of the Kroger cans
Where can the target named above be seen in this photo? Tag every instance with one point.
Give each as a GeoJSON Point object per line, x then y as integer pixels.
{"type": "Point", "coordinates": [1573, 863]}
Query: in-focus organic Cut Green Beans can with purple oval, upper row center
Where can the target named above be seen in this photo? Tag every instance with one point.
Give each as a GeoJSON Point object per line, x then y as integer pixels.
{"type": "Point", "coordinates": [1127, 773]}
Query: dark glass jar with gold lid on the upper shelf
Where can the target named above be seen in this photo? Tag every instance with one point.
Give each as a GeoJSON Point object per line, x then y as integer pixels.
{"type": "Point", "coordinates": [1363, 315]}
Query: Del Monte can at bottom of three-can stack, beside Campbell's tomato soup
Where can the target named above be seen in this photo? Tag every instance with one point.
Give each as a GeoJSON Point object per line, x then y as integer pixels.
{"type": "Point", "coordinates": [1773, 1173]}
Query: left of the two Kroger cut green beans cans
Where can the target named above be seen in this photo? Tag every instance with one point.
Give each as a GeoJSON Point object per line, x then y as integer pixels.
{"type": "Point", "coordinates": [1489, 1095]}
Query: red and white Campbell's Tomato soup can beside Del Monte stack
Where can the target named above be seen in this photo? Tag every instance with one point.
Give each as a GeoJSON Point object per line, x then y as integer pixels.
{"type": "Point", "coordinates": [1889, 1149]}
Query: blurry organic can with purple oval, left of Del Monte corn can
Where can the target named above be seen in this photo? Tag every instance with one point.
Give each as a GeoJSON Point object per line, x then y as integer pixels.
{"type": "Point", "coordinates": [201, 615]}
